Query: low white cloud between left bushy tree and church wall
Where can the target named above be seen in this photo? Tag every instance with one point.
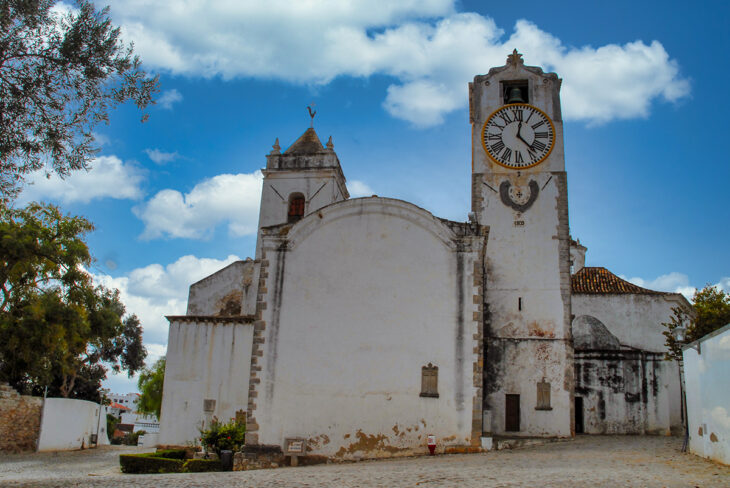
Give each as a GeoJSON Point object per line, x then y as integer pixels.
{"type": "Point", "coordinates": [152, 292]}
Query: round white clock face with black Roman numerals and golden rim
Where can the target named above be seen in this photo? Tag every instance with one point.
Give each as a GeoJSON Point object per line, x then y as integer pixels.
{"type": "Point", "coordinates": [518, 136]}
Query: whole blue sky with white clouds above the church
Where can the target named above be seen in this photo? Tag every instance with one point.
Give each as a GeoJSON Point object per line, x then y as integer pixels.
{"type": "Point", "coordinates": [176, 198]}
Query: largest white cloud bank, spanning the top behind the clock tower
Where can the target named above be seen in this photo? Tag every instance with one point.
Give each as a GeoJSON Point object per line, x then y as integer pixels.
{"type": "Point", "coordinates": [427, 47]}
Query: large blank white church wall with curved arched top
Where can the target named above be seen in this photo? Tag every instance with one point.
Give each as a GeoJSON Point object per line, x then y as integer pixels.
{"type": "Point", "coordinates": [355, 300]}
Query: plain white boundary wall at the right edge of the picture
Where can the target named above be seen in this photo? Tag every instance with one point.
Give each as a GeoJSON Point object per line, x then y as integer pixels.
{"type": "Point", "coordinates": [707, 379]}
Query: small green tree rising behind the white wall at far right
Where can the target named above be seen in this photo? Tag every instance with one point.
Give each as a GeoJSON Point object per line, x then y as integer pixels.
{"type": "Point", "coordinates": [710, 311]}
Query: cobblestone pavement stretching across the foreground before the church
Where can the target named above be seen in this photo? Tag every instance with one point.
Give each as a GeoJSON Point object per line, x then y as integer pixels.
{"type": "Point", "coordinates": [602, 461]}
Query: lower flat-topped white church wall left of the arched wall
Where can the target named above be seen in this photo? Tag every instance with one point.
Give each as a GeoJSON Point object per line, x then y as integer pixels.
{"type": "Point", "coordinates": [207, 358]}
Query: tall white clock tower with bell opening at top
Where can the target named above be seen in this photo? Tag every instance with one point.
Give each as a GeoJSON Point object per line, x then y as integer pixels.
{"type": "Point", "coordinates": [519, 190]}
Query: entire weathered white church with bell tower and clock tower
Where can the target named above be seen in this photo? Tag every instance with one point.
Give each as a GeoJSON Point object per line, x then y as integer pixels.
{"type": "Point", "coordinates": [364, 325]}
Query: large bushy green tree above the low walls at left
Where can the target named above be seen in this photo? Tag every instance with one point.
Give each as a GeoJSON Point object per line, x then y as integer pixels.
{"type": "Point", "coordinates": [58, 330]}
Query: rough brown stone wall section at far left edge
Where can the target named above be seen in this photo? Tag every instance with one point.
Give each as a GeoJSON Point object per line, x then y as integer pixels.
{"type": "Point", "coordinates": [20, 420]}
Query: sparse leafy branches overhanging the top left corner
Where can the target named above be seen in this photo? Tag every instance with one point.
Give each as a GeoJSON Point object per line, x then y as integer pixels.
{"type": "Point", "coordinates": [60, 74]}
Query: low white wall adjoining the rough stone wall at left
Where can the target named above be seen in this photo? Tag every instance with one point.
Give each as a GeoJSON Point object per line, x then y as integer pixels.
{"type": "Point", "coordinates": [68, 424]}
